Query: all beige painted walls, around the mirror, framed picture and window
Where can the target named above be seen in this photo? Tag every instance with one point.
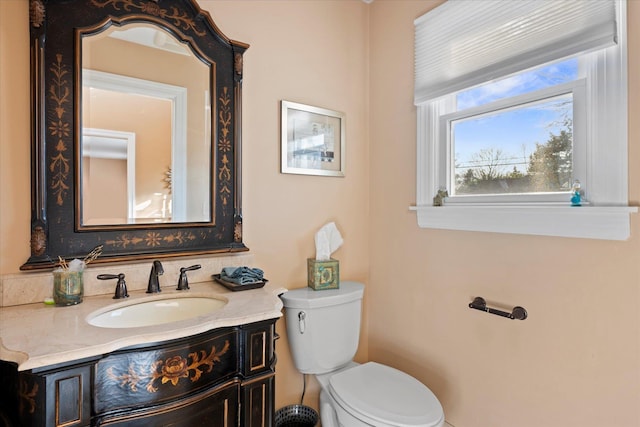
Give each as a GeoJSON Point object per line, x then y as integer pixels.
{"type": "Point", "coordinates": [574, 361]}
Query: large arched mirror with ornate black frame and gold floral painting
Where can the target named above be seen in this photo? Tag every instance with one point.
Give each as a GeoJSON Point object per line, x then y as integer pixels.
{"type": "Point", "coordinates": [136, 131]}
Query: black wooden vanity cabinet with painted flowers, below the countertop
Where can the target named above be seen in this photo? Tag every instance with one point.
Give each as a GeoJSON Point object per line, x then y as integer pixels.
{"type": "Point", "coordinates": [224, 377]}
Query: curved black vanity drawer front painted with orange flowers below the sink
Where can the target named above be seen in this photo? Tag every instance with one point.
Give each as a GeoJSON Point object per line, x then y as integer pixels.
{"type": "Point", "coordinates": [139, 377]}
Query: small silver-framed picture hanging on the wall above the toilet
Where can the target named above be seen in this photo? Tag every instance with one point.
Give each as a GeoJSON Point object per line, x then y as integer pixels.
{"type": "Point", "coordinates": [312, 140]}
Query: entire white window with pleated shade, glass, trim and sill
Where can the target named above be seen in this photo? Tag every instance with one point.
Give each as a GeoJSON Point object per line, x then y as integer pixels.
{"type": "Point", "coordinates": [516, 110]}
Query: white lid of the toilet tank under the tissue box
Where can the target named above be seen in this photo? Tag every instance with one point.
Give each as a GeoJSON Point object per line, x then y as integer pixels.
{"type": "Point", "coordinates": [309, 298]}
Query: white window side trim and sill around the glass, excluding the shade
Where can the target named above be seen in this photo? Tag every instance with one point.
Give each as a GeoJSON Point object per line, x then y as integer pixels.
{"type": "Point", "coordinates": [605, 174]}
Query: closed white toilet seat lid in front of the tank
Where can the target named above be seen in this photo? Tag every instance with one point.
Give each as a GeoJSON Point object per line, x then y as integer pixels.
{"type": "Point", "coordinates": [381, 395]}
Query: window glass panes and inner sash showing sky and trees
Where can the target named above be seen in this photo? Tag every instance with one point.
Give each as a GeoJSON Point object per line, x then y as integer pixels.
{"type": "Point", "coordinates": [514, 137]}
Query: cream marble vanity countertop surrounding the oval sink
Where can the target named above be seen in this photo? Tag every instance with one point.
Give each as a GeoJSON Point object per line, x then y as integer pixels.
{"type": "Point", "coordinates": [38, 335]}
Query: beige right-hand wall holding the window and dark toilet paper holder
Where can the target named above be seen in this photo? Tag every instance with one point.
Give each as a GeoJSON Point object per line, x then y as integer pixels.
{"type": "Point", "coordinates": [575, 361]}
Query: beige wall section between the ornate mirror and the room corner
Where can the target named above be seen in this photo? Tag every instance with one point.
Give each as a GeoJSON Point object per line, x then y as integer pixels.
{"type": "Point", "coordinates": [312, 52]}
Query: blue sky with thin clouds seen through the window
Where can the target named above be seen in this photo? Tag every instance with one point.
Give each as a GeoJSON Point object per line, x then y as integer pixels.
{"type": "Point", "coordinates": [514, 132]}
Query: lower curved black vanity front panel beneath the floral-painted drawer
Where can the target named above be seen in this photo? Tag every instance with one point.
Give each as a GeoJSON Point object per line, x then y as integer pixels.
{"type": "Point", "coordinates": [213, 408]}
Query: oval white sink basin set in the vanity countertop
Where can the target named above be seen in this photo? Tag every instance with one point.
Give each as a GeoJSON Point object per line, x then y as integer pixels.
{"type": "Point", "coordinates": [155, 312]}
